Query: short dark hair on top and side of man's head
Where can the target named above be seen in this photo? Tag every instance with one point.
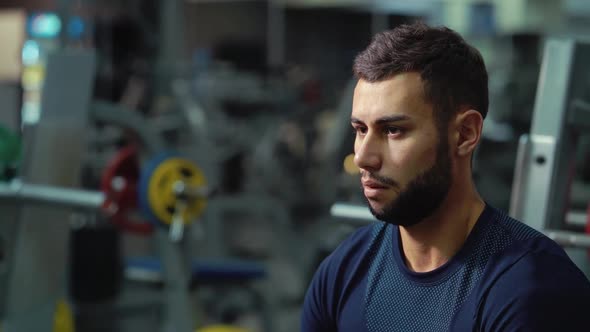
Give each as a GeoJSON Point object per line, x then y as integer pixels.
{"type": "Point", "coordinates": [453, 71]}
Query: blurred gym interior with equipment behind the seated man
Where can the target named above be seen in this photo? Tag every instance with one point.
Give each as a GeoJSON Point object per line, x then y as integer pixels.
{"type": "Point", "coordinates": [184, 165]}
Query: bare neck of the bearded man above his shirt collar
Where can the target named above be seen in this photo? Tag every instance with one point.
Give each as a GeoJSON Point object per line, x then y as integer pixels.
{"type": "Point", "coordinates": [434, 241]}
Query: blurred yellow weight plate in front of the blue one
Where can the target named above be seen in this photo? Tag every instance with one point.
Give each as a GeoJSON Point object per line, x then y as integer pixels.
{"type": "Point", "coordinates": [161, 197]}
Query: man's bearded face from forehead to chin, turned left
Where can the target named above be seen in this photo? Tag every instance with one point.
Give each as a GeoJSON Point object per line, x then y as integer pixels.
{"type": "Point", "coordinates": [403, 157]}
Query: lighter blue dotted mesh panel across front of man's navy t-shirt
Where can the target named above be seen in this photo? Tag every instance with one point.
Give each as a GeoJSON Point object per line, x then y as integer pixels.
{"type": "Point", "coordinates": [393, 302]}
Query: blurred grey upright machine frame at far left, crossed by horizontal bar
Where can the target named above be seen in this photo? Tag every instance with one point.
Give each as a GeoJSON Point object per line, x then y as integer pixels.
{"type": "Point", "coordinates": [35, 245]}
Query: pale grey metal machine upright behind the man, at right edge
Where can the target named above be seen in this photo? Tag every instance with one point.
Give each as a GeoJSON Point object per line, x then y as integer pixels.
{"type": "Point", "coordinates": [545, 160]}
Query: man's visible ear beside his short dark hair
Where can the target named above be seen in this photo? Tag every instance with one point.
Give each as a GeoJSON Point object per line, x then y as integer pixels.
{"type": "Point", "coordinates": [469, 124]}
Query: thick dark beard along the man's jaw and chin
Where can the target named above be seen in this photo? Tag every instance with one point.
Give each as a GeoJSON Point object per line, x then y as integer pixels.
{"type": "Point", "coordinates": [423, 195]}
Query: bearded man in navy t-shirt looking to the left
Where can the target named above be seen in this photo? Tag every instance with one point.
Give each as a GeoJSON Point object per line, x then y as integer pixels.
{"type": "Point", "coordinates": [442, 259]}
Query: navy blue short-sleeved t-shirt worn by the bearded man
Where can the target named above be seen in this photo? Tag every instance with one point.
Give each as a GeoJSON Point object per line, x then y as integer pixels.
{"type": "Point", "coordinates": [506, 277]}
